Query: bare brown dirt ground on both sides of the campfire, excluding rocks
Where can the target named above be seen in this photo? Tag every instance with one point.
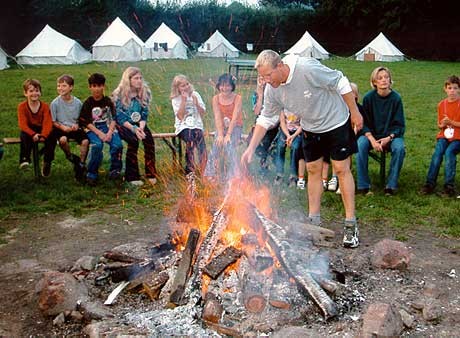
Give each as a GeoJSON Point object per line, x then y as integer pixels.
{"type": "Point", "coordinates": [55, 242]}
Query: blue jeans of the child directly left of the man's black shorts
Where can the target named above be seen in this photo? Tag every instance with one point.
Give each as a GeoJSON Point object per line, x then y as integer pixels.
{"type": "Point", "coordinates": [280, 155]}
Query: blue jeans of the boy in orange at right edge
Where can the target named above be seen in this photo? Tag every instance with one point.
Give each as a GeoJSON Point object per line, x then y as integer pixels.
{"type": "Point", "coordinates": [449, 150]}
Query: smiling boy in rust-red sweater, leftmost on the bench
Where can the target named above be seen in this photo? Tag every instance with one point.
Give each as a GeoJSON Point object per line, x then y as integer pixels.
{"type": "Point", "coordinates": [34, 119]}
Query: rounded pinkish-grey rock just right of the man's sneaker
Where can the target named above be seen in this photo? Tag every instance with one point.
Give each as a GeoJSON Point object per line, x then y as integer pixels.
{"type": "Point", "coordinates": [390, 254]}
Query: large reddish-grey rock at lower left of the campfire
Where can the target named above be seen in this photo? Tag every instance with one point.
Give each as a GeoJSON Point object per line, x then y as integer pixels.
{"type": "Point", "coordinates": [59, 292]}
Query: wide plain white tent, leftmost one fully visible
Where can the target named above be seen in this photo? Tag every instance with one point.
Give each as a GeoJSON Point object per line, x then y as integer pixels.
{"type": "Point", "coordinates": [50, 47]}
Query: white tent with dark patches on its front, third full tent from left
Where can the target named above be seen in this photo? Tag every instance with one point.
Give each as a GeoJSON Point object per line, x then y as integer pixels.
{"type": "Point", "coordinates": [165, 44]}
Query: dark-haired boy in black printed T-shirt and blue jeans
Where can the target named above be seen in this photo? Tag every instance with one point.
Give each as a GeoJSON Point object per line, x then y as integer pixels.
{"type": "Point", "coordinates": [98, 118]}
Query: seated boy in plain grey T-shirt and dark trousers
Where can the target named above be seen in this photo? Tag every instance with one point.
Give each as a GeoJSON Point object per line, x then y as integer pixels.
{"type": "Point", "coordinates": [65, 111]}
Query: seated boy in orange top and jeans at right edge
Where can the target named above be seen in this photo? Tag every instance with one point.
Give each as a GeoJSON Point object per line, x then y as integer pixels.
{"type": "Point", "coordinates": [448, 139]}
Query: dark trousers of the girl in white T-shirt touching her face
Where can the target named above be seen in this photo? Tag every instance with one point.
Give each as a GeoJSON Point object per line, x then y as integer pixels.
{"type": "Point", "coordinates": [193, 139]}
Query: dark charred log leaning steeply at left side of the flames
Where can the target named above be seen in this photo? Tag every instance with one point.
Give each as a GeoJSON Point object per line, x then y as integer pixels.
{"type": "Point", "coordinates": [183, 270]}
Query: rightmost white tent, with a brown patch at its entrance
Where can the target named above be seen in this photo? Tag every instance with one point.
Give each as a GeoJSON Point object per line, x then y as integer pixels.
{"type": "Point", "coordinates": [380, 49]}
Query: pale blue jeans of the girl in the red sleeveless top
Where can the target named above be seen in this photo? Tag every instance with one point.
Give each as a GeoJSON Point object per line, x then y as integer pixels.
{"type": "Point", "coordinates": [229, 154]}
